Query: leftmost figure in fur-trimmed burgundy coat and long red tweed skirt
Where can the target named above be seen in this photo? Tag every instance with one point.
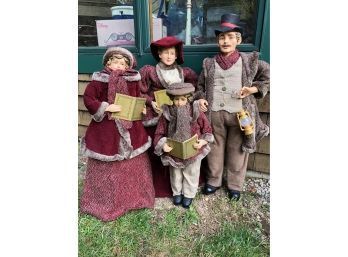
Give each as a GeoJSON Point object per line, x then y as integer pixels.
{"type": "Point", "coordinates": [118, 176]}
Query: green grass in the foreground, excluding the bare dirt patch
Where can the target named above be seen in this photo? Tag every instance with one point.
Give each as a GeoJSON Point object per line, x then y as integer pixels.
{"type": "Point", "coordinates": [170, 233]}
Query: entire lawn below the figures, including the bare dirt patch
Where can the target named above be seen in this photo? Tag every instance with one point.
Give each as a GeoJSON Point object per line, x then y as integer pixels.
{"type": "Point", "coordinates": [213, 226]}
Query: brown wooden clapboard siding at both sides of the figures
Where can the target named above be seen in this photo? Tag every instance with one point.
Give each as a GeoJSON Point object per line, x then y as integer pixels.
{"type": "Point", "coordinates": [258, 161]}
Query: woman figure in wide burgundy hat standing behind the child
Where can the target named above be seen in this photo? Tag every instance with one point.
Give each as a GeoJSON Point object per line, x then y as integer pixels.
{"type": "Point", "coordinates": [168, 51]}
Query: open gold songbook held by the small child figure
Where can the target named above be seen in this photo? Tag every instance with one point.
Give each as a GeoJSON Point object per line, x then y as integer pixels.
{"type": "Point", "coordinates": [183, 150]}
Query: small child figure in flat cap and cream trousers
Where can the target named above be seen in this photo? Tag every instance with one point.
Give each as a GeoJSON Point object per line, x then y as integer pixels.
{"type": "Point", "coordinates": [180, 122]}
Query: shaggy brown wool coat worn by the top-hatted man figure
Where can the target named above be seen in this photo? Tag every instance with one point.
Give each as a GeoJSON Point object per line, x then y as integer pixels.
{"type": "Point", "coordinates": [256, 73]}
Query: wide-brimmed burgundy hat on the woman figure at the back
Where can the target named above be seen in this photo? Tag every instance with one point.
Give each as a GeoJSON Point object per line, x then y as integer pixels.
{"type": "Point", "coordinates": [167, 42]}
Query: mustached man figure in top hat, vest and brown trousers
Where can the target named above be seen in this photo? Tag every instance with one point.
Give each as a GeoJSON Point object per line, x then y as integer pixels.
{"type": "Point", "coordinates": [231, 82]}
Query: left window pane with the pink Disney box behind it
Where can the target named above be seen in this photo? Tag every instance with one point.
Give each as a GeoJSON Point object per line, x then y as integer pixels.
{"type": "Point", "coordinates": [105, 22]}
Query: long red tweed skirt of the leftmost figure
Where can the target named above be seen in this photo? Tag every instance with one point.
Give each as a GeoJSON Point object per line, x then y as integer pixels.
{"type": "Point", "coordinates": [113, 188]}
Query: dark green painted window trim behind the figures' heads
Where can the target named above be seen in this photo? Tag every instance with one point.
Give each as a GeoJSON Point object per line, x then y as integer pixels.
{"type": "Point", "coordinates": [90, 58]}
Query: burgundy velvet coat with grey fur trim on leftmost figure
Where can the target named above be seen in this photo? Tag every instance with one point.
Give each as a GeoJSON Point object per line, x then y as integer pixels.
{"type": "Point", "coordinates": [105, 139]}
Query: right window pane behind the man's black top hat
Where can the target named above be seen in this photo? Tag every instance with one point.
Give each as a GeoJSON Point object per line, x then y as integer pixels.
{"type": "Point", "coordinates": [205, 17]}
